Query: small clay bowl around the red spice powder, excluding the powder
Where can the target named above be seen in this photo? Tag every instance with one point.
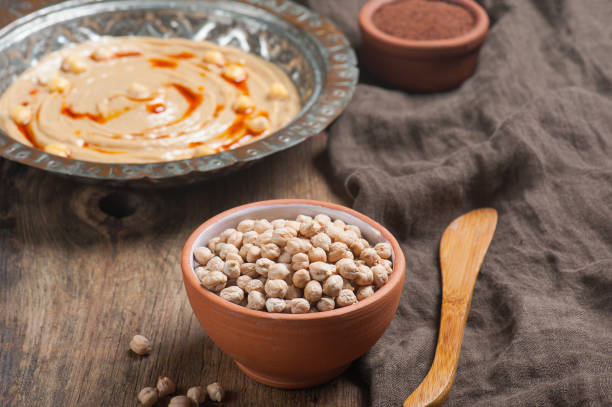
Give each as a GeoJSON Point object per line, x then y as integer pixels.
{"type": "Point", "coordinates": [422, 66]}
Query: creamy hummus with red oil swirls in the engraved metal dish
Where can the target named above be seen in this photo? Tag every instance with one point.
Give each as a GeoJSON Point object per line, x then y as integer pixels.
{"type": "Point", "coordinates": [140, 100]}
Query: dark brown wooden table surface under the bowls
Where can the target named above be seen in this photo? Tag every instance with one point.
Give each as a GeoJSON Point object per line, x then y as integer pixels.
{"type": "Point", "coordinates": [84, 268]}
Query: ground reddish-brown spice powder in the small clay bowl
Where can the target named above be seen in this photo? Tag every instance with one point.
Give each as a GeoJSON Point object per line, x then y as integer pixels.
{"type": "Point", "coordinates": [423, 19]}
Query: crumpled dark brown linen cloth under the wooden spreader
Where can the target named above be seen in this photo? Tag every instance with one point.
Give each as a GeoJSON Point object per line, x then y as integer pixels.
{"type": "Point", "coordinates": [530, 134]}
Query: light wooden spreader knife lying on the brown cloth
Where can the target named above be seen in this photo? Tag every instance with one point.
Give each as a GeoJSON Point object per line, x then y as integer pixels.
{"type": "Point", "coordinates": [462, 251]}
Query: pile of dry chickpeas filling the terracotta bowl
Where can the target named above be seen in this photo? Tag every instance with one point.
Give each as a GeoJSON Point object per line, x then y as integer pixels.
{"type": "Point", "coordinates": [293, 266]}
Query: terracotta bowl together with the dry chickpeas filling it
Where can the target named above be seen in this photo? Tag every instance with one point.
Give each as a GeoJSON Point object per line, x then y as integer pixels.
{"type": "Point", "coordinates": [293, 290]}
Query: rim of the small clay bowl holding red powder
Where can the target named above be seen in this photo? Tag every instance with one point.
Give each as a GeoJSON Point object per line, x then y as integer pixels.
{"type": "Point", "coordinates": [463, 42]}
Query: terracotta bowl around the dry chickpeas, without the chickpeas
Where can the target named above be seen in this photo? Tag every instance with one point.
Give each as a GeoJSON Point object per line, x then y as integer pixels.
{"type": "Point", "coordinates": [286, 350]}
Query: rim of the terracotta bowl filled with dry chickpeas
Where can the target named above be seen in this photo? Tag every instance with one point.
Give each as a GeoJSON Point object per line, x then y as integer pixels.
{"type": "Point", "coordinates": [189, 277]}
